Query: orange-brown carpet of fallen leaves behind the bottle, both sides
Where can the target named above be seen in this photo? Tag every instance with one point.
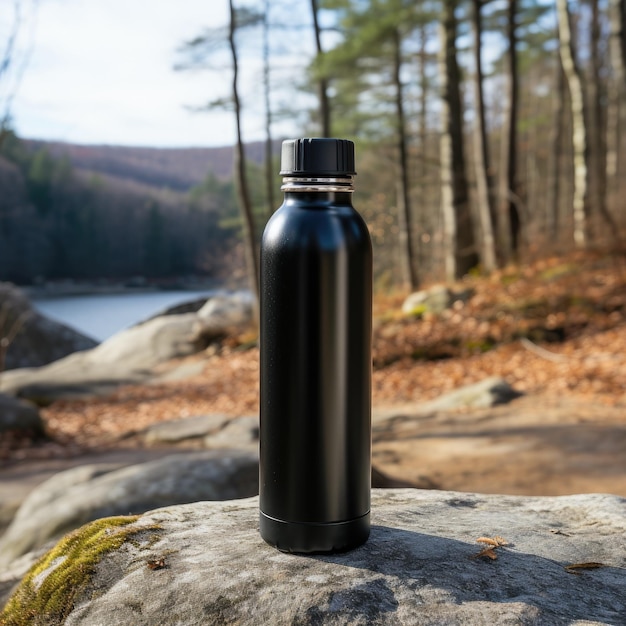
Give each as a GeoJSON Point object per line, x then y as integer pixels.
{"type": "Point", "coordinates": [555, 327]}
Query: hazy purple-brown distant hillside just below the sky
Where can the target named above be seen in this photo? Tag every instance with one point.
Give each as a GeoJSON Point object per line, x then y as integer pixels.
{"type": "Point", "coordinates": [175, 168]}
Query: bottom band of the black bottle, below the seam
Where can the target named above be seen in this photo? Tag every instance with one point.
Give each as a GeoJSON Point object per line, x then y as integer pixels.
{"type": "Point", "coordinates": [310, 538]}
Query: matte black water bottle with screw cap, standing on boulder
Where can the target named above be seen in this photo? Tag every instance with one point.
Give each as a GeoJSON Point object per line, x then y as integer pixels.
{"type": "Point", "coordinates": [316, 325]}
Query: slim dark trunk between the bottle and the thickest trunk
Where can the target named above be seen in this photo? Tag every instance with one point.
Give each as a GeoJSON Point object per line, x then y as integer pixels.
{"type": "Point", "coordinates": [404, 198]}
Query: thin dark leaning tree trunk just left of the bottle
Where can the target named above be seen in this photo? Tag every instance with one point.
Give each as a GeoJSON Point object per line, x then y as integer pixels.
{"type": "Point", "coordinates": [240, 168]}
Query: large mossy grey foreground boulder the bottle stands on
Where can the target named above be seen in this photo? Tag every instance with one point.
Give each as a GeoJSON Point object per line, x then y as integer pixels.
{"type": "Point", "coordinates": [433, 557]}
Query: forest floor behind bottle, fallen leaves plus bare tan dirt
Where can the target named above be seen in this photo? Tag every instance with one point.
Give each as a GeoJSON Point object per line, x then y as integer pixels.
{"type": "Point", "coordinates": [554, 329]}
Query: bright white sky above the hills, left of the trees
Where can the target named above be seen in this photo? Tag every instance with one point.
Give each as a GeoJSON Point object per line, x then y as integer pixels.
{"type": "Point", "coordinates": [101, 72]}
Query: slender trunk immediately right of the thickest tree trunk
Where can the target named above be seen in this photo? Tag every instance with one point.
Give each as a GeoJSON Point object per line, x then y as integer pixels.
{"type": "Point", "coordinates": [486, 210]}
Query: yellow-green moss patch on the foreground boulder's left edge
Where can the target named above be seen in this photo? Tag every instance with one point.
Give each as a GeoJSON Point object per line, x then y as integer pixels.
{"type": "Point", "coordinates": [51, 587]}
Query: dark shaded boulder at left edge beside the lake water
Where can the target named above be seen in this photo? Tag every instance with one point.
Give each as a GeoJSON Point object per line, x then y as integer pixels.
{"type": "Point", "coordinates": [38, 340]}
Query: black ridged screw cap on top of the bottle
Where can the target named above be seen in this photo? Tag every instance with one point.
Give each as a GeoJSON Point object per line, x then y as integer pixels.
{"type": "Point", "coordinates": [317, 157]}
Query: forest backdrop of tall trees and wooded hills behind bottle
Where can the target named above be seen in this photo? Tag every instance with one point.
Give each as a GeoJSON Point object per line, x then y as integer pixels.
{"type": "Point", "coordinates": [487, 132]}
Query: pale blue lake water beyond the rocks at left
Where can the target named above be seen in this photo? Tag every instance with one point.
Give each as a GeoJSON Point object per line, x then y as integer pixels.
{"type": "Point", "coordinates": [100, 316]}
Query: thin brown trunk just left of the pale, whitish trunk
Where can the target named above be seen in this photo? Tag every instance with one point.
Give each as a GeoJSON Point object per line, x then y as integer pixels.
{"type": "Point", "coordinates": [554, 164]}
